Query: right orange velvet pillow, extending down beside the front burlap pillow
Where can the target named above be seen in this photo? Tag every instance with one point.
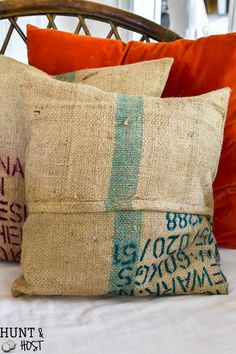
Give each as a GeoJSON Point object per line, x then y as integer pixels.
{"type": "Point", "coordinates": [203, 65]}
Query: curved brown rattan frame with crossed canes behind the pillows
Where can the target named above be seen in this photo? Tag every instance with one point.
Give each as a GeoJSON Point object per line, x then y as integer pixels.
{"type": "Point", "coordinates": [13, 9]}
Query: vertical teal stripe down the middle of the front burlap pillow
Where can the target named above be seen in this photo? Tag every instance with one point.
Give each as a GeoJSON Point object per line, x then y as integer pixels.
{"type": "Point", "coordinates": [123, 187]}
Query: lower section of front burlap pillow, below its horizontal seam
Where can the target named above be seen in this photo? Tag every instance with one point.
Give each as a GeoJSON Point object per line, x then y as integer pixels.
{"type": "Point", "coordinates": [76, 254]}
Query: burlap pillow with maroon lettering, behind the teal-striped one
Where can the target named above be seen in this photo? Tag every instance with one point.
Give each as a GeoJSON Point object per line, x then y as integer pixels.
{"type": "Point", "coordinates": [150, 79]}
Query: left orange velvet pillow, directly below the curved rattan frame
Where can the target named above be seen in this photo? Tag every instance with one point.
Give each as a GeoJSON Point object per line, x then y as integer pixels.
{"type": "Point", "coordinates": [57, 52]}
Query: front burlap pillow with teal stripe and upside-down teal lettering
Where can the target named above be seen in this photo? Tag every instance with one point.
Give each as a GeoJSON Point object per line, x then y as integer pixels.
{"type": "Point", "coordinates": [119, 192]}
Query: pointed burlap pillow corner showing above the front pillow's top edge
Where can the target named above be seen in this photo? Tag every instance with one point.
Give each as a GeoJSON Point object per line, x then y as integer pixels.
{"type": "Point", "coordinates": [111, 79]}
